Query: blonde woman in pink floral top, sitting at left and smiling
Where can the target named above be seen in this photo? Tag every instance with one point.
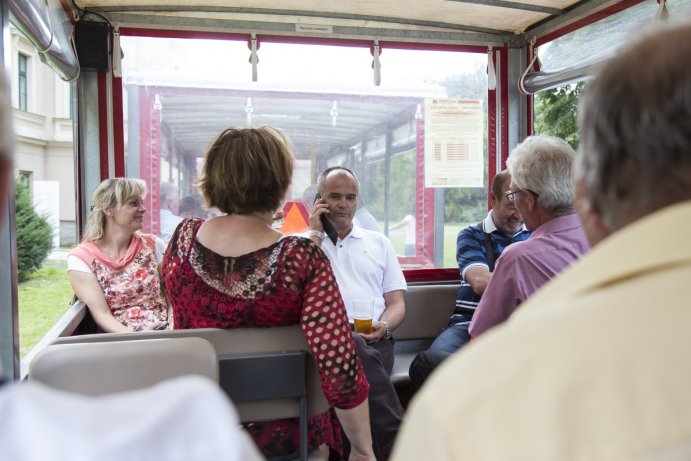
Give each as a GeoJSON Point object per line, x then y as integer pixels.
{"type": "Point", "coordinates": [115, 268]}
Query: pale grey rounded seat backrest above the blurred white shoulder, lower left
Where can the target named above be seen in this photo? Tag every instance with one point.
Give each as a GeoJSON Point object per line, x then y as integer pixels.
{"type": "Point", "coordinates": [116, 366]}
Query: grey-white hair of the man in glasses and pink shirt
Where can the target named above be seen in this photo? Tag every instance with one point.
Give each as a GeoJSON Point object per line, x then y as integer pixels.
{"type": "Point", "coordinates": [545, 166]}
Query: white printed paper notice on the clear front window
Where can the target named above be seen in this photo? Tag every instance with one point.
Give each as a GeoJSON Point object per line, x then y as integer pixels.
{"type": "Point", "coordinates": [453, 143]}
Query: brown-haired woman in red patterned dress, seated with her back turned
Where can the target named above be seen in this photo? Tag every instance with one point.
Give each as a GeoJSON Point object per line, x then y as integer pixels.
{"type": "Point", "coordinates": [235, 271]}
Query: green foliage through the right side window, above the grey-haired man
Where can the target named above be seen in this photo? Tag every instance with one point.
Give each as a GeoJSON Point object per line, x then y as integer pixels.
{"type": "Point", "coordinates": [556, 111]}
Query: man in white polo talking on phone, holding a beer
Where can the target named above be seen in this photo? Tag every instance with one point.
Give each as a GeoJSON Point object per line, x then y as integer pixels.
{"type": "Point", "coordinates": [366, 267]}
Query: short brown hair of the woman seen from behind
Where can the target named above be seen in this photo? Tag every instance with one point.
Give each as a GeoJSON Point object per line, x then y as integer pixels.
{"type": "Point", "coordinates": [247, 170]}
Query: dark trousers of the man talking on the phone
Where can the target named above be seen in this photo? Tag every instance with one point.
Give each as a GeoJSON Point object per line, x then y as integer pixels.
{"type": "Point", "coordinates": [385, 410]}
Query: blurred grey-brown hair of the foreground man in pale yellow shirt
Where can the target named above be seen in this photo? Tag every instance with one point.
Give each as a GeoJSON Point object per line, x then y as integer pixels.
{"type": "Point", "coordinates": [635, 125]}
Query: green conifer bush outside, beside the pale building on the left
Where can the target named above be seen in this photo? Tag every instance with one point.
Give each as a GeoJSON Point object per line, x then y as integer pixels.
{"type": "Point", "coordinates": [34, 234]}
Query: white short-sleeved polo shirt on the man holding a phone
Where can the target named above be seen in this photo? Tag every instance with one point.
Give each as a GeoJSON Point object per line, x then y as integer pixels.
{"type": "Point", "coordinates": [366, 267]}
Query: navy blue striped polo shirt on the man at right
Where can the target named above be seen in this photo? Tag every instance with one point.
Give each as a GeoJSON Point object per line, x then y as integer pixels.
{"type": "Point", "coordinates": [471, 251]}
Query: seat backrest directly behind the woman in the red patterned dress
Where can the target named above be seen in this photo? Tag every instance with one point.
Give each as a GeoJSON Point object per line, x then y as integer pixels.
{"type": "Point", "coordinates": [267, 372]}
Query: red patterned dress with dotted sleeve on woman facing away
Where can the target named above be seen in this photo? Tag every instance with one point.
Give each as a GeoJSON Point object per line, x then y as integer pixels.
{"type": "Point", "coordinates": [287, 283]}
